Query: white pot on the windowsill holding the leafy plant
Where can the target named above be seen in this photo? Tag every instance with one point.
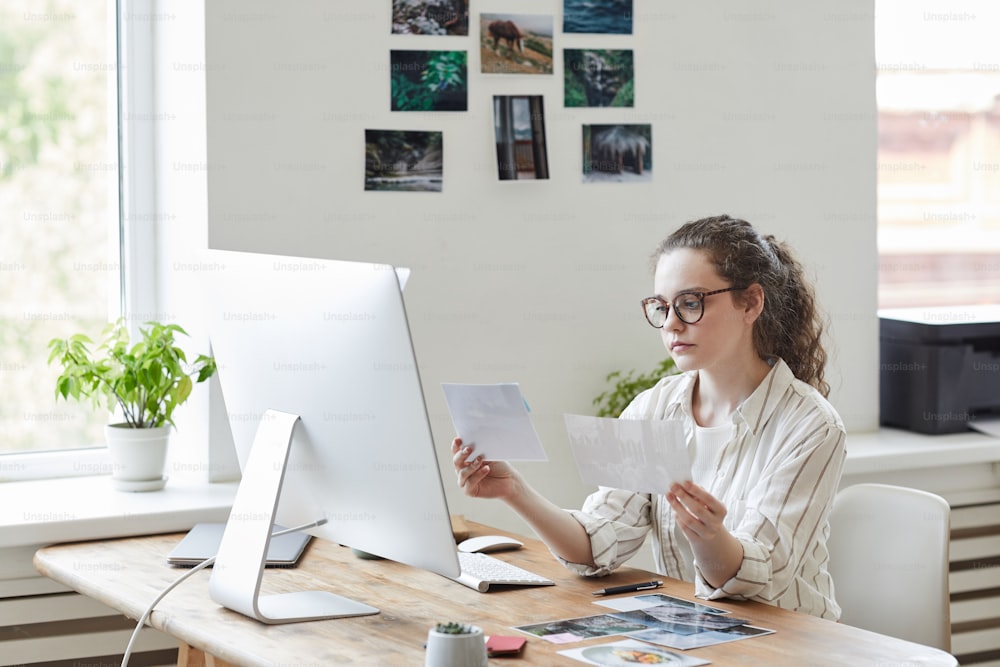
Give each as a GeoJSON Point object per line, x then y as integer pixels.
{"type": "Point", "coordinates": [138, 456]}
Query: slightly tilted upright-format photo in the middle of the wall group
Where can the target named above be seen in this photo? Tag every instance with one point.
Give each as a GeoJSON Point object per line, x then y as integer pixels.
{"type": "Point", "coordinates": [519, 123]}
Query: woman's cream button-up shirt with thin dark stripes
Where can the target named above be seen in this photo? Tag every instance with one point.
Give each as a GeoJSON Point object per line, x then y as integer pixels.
{"type": "Point", "coordinates": [777, 476]}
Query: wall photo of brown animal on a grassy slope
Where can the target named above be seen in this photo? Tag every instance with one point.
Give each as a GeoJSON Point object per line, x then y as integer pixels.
{"type": "Point", "coordinates": [515, 43]}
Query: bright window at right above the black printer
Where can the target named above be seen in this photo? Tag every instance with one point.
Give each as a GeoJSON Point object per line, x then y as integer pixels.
{"type": "Point", "coordinates": [938, 92]}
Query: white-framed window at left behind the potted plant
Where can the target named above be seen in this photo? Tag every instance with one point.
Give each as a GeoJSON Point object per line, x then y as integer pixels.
{"type": "Point", "coordinates": [63, 236]}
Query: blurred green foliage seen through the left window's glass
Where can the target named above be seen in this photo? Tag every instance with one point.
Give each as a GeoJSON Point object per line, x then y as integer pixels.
{"type": "Point", "coordinates": [58, 261]}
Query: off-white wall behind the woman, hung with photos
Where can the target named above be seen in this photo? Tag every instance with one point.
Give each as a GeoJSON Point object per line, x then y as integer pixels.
{"type": "Point", "coordinates": [766, 113]}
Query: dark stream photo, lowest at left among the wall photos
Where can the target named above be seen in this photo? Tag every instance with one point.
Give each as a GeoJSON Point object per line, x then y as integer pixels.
{"type": "Point", "coordinates": [403, 161]}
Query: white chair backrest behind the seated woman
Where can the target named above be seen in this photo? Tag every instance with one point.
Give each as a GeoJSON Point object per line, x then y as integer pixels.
{"type": "Point", "coordinates": [889, 562]}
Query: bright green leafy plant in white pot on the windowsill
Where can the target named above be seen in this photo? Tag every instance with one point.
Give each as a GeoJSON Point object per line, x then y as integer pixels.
{"type": "Point", "coordinates": [142, 382]}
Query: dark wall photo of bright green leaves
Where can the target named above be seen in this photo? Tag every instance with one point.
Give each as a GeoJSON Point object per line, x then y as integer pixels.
{"type": "Point", "coordinates": [429, 80]}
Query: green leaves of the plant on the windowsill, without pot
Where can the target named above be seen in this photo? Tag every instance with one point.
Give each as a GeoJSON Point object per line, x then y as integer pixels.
{"type": "Point", "coordinates": [147, 380]}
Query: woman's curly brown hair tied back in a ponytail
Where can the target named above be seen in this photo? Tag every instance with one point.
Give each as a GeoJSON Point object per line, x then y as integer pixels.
{"type": "Point", "coordinates": [790, 325]}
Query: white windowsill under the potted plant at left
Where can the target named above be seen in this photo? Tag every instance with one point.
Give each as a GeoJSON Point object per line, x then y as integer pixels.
{"type": "Point", "coordinates": [40, 512]}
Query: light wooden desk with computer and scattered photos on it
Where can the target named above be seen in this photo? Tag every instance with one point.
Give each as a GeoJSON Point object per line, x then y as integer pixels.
{"type": "Point", "coordinates": [127, 574]}
